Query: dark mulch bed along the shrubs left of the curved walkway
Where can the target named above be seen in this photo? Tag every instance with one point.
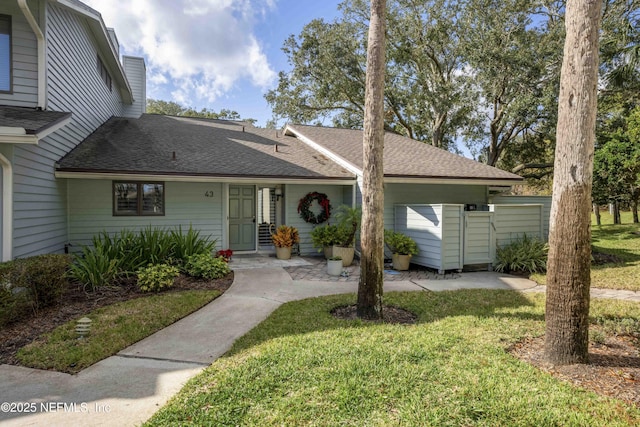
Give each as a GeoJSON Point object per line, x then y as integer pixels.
{"type": "Point", "coordinates": [77, 303]}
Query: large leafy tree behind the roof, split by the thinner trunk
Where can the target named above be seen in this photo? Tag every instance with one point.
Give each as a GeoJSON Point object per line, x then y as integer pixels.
{"type": "Point", "coordinates": [426, 96]}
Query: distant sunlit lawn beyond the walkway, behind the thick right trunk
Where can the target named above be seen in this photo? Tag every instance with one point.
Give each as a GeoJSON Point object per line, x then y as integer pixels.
{"type": "Point", "coordinates": [623, 241]}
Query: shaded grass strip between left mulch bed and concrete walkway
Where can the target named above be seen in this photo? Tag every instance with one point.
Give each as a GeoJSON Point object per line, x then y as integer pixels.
{"type": "Point", "coordinates": [113, 328]}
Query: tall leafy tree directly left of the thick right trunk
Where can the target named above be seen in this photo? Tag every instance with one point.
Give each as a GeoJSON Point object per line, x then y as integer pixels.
{"type": "Point", "coordinates": [515, 66]}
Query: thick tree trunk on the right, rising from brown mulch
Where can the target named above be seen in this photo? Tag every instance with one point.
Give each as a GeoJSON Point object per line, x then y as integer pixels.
{"type": "Point", "coordinates": [569, 265]}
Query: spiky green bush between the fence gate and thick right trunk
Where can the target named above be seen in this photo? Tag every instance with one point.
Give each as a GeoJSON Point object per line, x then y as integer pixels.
{"type": "Point", "coordinates": [525, 254]}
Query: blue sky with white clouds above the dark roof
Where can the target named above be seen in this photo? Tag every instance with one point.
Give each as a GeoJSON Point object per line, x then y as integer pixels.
{"type": "Point", "coordinates": [211, 54]}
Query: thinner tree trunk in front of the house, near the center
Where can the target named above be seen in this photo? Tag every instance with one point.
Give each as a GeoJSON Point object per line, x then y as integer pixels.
{"type": "Point", "coordinates": [372, 231]}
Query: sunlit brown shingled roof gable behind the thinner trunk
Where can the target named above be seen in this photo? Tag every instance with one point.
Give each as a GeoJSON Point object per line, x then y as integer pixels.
{"type": "Point", "coordinates": [403, 157]}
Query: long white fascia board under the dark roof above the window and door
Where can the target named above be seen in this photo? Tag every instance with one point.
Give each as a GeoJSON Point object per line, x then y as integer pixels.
{"type": "Point", "coordinates": [185, 178]}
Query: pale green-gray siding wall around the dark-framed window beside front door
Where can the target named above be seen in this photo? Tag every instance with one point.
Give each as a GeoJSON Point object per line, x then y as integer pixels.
{"type": "Point", "coordinates": [91, 212]}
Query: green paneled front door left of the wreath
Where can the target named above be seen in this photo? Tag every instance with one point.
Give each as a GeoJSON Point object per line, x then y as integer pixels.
{"type": "Point", "coordinates": [242, 217]}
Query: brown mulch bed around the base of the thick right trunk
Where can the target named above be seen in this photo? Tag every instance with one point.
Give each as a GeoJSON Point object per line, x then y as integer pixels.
{"type": "Point", "coordinates": [613, 369]}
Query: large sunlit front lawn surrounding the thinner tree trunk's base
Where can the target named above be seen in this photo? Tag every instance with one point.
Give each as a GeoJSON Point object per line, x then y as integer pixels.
{"type": "Point", "coordinates": [301, 366]}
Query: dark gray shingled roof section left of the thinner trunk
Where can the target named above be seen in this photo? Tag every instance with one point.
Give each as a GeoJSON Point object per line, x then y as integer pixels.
{"type": "Point", "coordinates": [202, 147]}
